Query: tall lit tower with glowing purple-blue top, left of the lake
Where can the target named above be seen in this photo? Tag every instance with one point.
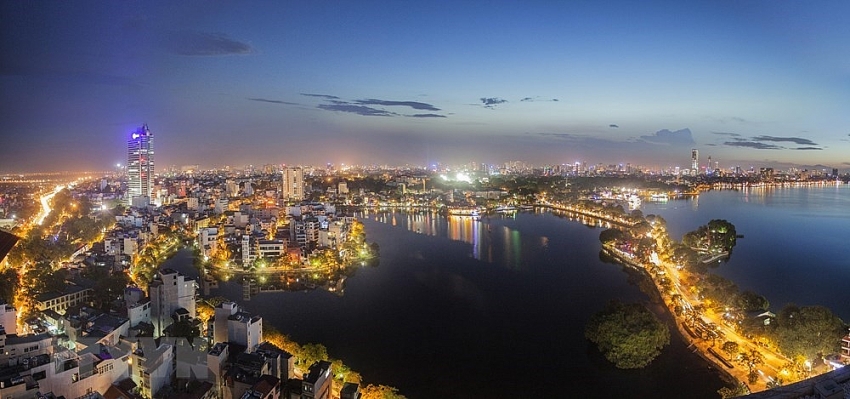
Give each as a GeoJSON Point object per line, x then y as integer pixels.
{"type": "Point", "coordinates": [140, 166]}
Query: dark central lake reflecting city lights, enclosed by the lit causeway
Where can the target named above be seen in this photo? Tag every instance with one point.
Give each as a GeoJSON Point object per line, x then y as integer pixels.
{"type": "Point", "coordinates": [487, 309]}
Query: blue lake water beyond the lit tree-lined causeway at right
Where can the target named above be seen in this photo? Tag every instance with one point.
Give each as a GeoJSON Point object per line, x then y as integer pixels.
{"type": "Point", "coordinates": [796, 245]}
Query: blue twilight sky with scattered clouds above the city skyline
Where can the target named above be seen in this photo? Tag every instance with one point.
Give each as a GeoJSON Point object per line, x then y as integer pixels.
{"type": "Point", "coordinates": [749, 83]}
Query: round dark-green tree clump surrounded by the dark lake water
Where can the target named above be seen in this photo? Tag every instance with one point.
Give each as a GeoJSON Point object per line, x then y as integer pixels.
{"type": "Point", "coordinates": [629, 335]}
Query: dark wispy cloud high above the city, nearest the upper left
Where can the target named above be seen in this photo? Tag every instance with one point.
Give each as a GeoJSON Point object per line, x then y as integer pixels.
{"type": "Point", "coordinates": [193, 43]}
